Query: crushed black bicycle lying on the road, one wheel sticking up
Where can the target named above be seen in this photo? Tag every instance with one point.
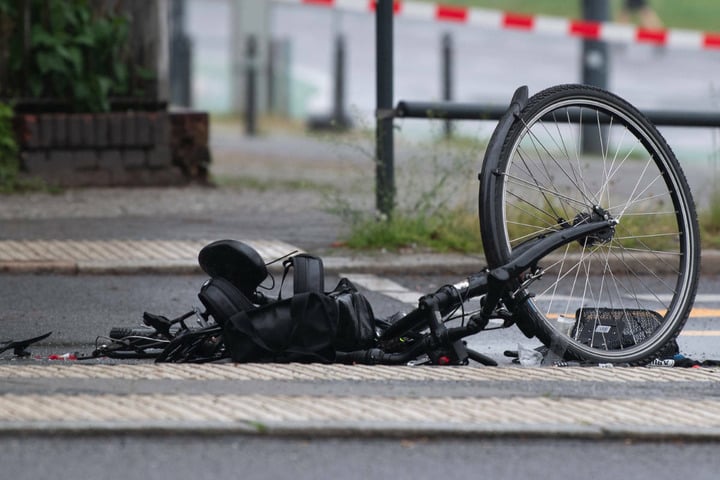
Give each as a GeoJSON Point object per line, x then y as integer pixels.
{"type": "Point", "coordinates": [592, 250]}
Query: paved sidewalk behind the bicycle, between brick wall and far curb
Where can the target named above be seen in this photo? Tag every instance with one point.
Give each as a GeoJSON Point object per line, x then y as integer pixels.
{"type": "Point", "coordinates": [276, 196]}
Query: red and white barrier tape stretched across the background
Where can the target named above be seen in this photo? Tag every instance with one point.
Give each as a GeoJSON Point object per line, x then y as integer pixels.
{"type": "Point", "coordinates": [612, 32]}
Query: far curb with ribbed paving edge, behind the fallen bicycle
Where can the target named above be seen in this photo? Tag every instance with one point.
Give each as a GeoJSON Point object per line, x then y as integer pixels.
{"type": "Point", "coordinates": [110, 257]}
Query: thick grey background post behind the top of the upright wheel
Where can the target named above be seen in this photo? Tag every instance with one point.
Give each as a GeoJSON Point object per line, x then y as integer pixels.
{"type": "Point", "coordinates": [594, 64]}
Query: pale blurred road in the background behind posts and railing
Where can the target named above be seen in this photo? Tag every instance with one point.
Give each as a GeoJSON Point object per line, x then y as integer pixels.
{"type": "Point", "coordinates": [489, 63]}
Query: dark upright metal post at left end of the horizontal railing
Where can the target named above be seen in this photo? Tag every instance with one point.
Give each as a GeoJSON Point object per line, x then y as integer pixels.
{"type": "Point", "coordinates": [385, 176]}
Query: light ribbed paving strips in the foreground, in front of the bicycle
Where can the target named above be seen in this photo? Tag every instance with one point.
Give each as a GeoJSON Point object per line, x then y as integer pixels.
{"type": "Point", "coordinates": [338, 400]}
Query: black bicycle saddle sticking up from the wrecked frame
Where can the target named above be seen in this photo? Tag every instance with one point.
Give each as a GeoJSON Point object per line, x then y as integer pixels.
{"type": "Point", "coordinates": [234, 261]}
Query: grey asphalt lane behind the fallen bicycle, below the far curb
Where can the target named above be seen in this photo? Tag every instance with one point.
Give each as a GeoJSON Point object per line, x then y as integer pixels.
{"type": "Point", "coordinates": [78, 309]}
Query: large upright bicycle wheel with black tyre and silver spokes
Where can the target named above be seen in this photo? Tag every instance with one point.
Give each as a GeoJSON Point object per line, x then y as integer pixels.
{"type": "Point", "coordinates": [575, 152]}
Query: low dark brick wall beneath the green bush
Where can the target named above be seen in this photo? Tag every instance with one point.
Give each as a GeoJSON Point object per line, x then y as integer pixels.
{"type": "Point", "coordinates": [114, 149]}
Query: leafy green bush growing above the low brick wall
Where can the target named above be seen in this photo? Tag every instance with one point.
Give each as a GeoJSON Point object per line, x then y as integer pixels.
{"type": "Point", "coordinates": [73, 54]}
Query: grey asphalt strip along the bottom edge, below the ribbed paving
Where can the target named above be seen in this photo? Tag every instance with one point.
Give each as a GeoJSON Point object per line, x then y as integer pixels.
{"type": "Point", "coordinates": [360, 458]}
